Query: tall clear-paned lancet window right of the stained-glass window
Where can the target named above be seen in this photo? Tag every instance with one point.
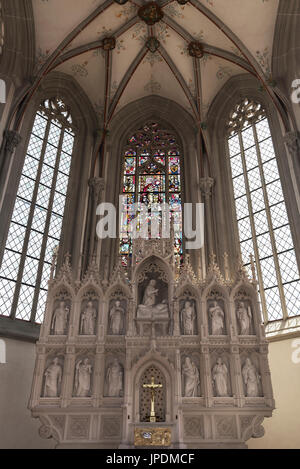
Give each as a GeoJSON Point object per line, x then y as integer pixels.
{"type": "Point", "coordinates": [262, 217]}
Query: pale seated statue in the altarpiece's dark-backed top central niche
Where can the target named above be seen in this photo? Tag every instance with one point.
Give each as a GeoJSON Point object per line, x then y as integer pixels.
{"type": "Point", "coordinates": [149, 309]}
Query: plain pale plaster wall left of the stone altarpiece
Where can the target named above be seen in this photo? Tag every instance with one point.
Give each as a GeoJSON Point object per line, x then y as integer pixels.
{"type": "Point", "coordinates": [17, 429]}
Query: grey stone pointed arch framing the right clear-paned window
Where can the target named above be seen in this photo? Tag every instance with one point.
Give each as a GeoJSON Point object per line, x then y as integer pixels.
{"type": "Point", "coordinates": [234, 91]}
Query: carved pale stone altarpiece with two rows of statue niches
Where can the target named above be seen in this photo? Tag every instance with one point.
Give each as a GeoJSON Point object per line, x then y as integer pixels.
{"type": "Point", "coordinates": [200, 340]}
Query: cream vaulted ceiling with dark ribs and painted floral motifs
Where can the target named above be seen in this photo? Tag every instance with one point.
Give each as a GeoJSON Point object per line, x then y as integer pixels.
{"type": "Point", "coordinates": [122, 50]}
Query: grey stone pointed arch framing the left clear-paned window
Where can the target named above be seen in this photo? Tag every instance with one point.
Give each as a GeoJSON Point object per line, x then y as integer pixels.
{"type": "Point", "coordinates": [85, 119]}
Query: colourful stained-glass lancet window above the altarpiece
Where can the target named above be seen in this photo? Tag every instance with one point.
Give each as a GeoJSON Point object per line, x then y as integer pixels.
{"type": "Point", "coordinates": [152, 177]}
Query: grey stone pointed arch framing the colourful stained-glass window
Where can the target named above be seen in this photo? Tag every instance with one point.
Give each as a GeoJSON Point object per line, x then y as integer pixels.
{"type": "Point", "coordinates": [129, 119]}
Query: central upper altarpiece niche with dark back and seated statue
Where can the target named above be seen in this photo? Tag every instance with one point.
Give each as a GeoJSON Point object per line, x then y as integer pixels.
{"type": "Point", "coordinates": [153, 314]}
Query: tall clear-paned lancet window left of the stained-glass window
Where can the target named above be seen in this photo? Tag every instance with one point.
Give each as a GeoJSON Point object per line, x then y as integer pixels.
{"type": "Point", "coordinates": [36, 222]}
